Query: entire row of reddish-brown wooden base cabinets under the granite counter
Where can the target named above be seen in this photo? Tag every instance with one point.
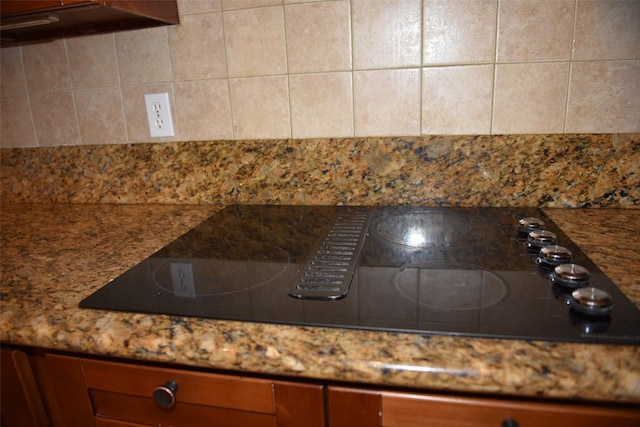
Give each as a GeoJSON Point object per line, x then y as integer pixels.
{"type": "Point", "coordinates": [82, 392]}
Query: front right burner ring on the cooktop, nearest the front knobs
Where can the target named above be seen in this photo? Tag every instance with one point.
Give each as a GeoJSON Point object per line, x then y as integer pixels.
{"type": "Point", "coordinates": [450, 286]}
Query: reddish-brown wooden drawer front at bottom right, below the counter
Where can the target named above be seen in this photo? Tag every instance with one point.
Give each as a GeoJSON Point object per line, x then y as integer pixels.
{"type": "Point", "coordinates": [394, 409]}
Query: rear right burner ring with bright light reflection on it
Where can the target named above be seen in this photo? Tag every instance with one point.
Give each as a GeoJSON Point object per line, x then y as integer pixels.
{"type": "Point", "coordinates": [435, 230]}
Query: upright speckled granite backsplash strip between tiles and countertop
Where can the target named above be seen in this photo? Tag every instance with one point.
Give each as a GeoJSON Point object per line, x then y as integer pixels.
{"type": "Point", "coordinates": [490, 170]}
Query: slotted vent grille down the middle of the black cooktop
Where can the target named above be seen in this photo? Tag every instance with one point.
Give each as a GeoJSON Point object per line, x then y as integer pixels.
{"type": "Point", "coordinates": [328, 272]}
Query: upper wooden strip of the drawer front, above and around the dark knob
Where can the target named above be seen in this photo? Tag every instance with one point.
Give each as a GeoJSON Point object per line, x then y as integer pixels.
{"type": "Point", "coordinates": [246, 394]}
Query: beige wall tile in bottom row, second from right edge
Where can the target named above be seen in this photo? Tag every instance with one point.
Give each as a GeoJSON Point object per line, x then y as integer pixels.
{"type": "Point", "coordinates": [530, 98]}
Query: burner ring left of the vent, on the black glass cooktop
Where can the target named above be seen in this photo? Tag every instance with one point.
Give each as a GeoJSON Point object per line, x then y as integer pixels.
{"type": "Point", "coordinates": [259, 252]}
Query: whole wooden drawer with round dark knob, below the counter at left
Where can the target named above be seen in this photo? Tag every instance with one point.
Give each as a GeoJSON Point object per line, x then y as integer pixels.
{"type": "Point", "coordinates": [125, 391]}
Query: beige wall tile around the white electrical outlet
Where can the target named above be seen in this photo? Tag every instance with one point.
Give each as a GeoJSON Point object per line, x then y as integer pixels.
{"type": "Point", "coordinates": [135, 112]}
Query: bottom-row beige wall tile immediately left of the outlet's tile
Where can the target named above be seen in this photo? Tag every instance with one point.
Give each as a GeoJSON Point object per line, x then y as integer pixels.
{"type": "Point", "coordinates": [100, 116]}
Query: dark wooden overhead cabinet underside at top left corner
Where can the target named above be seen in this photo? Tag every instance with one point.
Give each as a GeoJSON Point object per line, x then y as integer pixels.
{"type": "Point", "coordinates": [22, 23]}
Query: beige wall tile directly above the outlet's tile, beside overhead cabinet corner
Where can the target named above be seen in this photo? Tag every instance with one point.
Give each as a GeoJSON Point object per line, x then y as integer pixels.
{"type": "Point", "coordinates": [143, 56]}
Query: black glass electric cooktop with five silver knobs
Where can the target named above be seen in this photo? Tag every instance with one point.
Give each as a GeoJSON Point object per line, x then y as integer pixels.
{"type": "Point", "coordinates": [453, 271]}
